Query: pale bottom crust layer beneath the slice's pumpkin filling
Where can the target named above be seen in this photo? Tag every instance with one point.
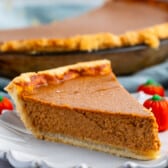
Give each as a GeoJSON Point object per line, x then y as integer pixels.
{"type": "Point", "coordinates": [93, 145]}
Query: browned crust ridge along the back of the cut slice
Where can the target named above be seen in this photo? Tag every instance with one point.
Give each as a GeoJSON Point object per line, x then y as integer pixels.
{"type": "Point", "coordinates": [31, 80]}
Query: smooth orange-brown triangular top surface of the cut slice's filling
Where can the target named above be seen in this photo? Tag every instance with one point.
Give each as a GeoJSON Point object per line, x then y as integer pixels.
{"type": "Point", "coordinates": [87, 93]}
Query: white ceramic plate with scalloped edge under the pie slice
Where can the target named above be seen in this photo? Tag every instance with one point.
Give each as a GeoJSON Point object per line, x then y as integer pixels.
{"type": "Point", "coordinates": [24, 151]}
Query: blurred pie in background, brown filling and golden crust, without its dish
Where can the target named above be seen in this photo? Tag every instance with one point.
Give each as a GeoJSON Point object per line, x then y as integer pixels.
{"type": "Point", "coordinates": [106, 27]}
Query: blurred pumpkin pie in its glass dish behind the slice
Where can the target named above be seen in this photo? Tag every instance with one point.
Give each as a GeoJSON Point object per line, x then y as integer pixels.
{"type": "Point", "coordinates": [118, 31]}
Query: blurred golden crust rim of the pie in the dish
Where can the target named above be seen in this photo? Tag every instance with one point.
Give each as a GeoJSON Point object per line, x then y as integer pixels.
{"type": "Point", "coordinates": [150, 36]}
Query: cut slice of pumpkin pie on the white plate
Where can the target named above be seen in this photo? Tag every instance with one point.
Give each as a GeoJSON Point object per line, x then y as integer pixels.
{"type": "Point", "coordinates": [84, 105]}
